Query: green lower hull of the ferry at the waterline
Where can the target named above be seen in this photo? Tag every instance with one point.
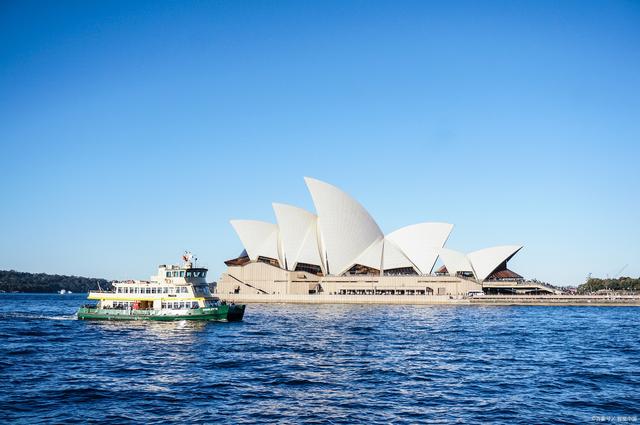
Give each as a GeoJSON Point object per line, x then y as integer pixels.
{"type": "Point", "coordinates": [222, 313]}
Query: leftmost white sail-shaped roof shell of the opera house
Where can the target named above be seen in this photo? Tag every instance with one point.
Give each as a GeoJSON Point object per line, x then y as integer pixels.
{"type": "Point", "coordinates": [260, 238]}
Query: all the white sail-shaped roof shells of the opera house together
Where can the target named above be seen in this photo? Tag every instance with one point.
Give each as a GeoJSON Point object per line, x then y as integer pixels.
{"type": "Point", "coordinates": [344, 234]}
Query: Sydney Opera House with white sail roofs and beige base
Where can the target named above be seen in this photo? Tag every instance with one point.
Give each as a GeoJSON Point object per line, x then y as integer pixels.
{"type": "Point", "coordinates": [340, 250]}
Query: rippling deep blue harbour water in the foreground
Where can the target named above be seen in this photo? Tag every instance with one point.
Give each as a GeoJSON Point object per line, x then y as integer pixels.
{"type": "Point", "coordinates": [321, 364]}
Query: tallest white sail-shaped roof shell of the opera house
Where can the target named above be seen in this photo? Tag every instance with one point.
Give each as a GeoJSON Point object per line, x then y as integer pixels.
{"type": "Point", "coordinates": [347, 230]}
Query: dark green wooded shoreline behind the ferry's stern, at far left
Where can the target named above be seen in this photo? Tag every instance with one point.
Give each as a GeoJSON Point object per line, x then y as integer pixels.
{"type": "Point", "coordinates": [13, 281]}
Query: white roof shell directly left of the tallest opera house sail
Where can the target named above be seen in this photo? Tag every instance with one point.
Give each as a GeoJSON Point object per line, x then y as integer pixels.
{"type": "Point", "coordinates": [298, 235]}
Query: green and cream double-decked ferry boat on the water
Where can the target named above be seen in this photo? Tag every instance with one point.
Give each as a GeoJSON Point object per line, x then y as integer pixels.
{"type": "Point", "coordinates": [177, 292]}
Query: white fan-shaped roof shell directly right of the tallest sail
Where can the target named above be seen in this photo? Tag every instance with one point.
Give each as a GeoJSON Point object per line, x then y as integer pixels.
{"type": "Point", "coordinates": [420, 243]}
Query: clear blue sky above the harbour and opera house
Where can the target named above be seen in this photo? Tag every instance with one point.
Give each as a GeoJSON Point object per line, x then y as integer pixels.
{"type": "Point", "coordinates": [131, 131]}
